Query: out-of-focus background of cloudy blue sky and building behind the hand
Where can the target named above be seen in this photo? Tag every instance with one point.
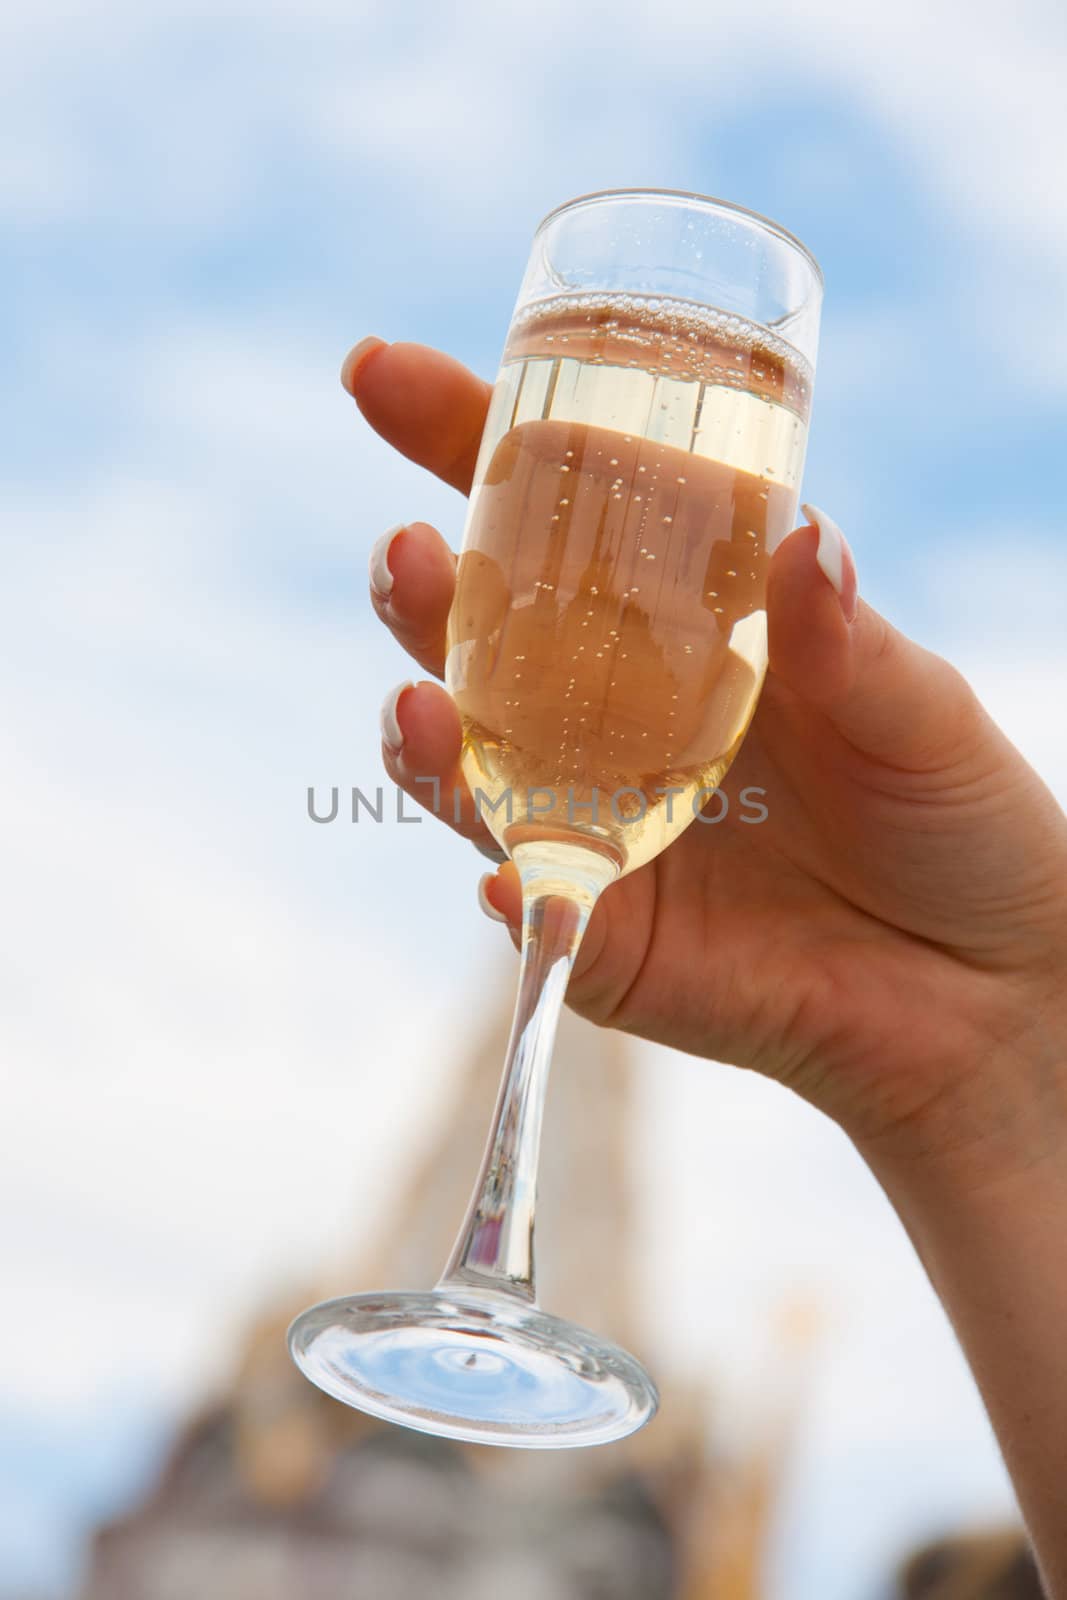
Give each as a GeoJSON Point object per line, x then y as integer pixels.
{"type": "Point", "coordinates": [230, 1038]}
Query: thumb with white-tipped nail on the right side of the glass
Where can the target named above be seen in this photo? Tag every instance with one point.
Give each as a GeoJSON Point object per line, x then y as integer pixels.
{"type": "Point", "coordinates": [889, 697]}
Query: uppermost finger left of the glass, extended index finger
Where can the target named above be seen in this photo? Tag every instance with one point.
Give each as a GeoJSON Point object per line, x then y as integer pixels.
{"type": "Point", "coordinates": [425, 404]}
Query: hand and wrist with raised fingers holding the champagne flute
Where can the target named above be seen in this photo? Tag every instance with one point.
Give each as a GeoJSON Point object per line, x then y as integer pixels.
{"type": "Point", "coordinates": [890, 942]}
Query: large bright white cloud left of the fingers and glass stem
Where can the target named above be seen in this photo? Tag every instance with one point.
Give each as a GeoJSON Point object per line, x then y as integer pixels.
{"type": "Point", "coordinates": [212, 1052]}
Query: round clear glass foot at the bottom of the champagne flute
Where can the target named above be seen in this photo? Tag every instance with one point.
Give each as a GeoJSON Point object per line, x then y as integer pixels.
{"type": "Point", "coordinates": [474, 1364]}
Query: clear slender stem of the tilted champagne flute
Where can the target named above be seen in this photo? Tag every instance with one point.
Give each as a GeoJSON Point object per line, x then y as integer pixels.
{"type": "Point", "coordinates": [495, 1246]}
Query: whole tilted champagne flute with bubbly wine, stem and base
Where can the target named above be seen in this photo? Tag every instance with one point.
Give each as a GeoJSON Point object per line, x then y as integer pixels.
{"type": "Point", "coordinates": [607, 646]}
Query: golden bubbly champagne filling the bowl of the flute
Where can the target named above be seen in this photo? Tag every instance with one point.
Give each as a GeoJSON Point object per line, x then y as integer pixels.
{"type": "Point", "coordinates": [609, 636]}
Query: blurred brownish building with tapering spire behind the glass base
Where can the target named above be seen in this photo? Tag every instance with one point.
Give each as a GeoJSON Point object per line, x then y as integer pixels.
{"type": "Point", "coordinates": [278, 1492]}
